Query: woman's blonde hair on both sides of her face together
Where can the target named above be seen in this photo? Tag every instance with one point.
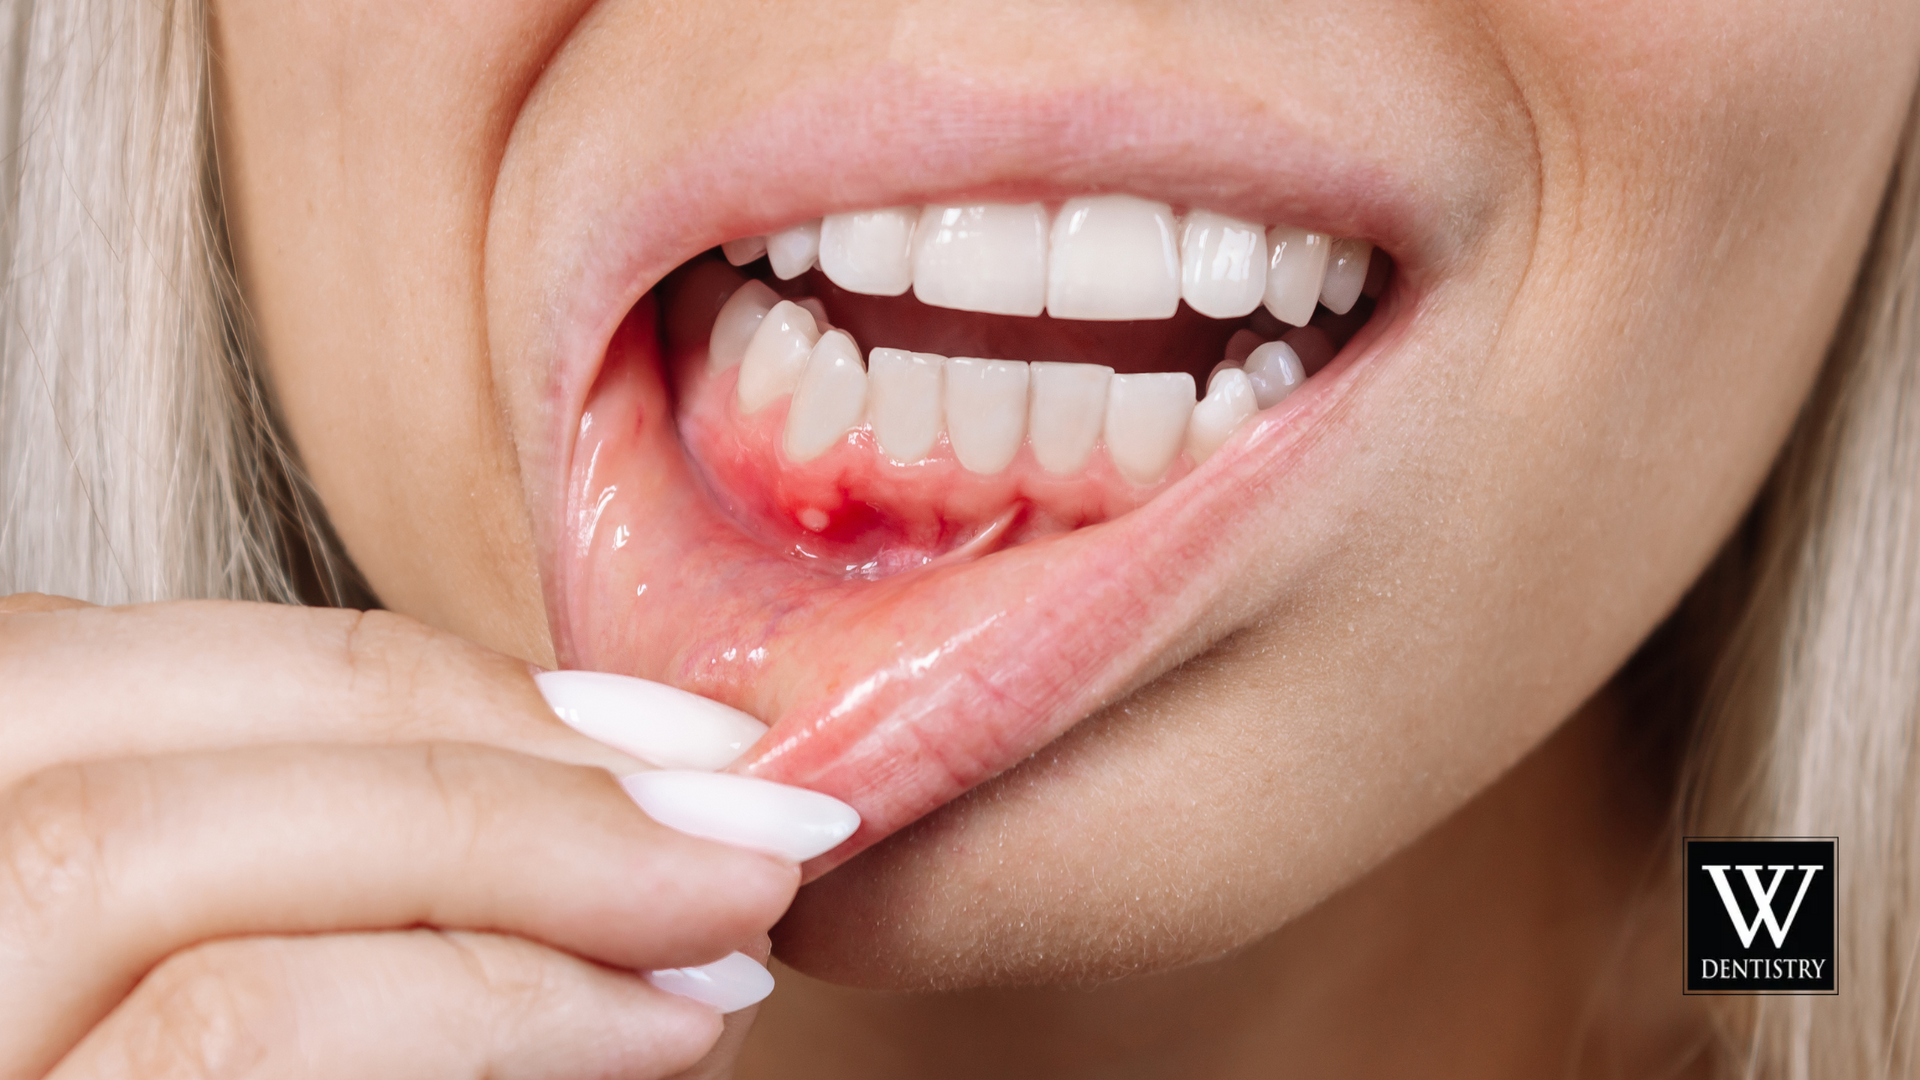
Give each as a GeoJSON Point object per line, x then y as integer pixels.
{"type": "Point", "coordinates": [137, 462]}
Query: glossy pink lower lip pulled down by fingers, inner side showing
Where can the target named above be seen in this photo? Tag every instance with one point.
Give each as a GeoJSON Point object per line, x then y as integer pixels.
{"type": "Point", "coordinates": [903, 693]}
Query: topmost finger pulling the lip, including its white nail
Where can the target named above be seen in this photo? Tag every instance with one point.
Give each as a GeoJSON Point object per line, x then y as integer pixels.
{"type": "Point", "coordinates": [174, 677]}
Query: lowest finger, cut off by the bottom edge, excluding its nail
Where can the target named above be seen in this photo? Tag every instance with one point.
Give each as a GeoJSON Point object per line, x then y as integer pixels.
{"type": "Point", "coordinates": [406, 1004]}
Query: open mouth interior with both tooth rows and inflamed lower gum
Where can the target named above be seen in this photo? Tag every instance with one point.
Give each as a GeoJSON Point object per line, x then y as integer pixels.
{"type": "Point", "coordinates": [888, 387]}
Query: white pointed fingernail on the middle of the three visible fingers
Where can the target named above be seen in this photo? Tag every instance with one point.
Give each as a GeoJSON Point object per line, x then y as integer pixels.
{"type": "Point", "coordinates": [759, 816]}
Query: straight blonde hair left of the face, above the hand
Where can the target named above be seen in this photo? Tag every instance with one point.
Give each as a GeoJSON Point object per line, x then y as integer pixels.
{"type": "Point", "coordinates": [135, 458]}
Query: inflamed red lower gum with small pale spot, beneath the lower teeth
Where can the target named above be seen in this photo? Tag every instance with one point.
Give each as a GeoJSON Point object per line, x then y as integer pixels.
{"type": "Point", "coordinates": [857, 512]}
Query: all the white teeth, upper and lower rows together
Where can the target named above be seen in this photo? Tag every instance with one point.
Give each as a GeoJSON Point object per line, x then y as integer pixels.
{"type": "Point", "coordinates": [1095, 258]}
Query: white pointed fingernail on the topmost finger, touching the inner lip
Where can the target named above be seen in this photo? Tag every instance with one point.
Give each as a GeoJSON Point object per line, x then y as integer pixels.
{"type": "Point", "coordinates": [650, 722]}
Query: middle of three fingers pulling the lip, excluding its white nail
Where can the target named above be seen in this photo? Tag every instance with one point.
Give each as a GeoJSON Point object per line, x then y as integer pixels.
{"type": "Point", "coordinates": [110, 868]}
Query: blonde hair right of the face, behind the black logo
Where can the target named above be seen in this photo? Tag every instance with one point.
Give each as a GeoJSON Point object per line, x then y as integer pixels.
{"type": "Point", "coordinates": [1813, 716]}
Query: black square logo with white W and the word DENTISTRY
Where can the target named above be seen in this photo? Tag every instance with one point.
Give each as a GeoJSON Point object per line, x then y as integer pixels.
{"type": "Point", "coordinates": [1760, 916]}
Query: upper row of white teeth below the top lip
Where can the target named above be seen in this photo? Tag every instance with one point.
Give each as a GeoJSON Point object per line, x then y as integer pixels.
{"type": "Point", "coordinates": [1113, 257]}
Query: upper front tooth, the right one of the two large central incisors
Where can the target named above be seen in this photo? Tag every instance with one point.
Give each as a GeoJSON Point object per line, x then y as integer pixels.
{"type": "Point", "coordinates": [1113, 257]}
